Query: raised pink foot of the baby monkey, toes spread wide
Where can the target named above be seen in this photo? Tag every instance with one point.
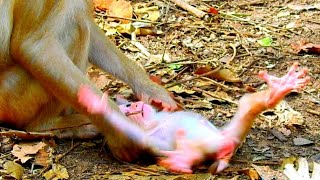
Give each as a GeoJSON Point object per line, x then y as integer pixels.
{"type": "Point", "coordinates": [280, 87]}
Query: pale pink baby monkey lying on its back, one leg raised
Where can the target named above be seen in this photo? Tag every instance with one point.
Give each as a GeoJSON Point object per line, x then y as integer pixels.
{"type": "Point", "coordinates": [195, 139]}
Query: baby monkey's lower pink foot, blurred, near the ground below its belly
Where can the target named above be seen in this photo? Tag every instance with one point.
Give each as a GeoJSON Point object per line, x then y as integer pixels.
{"type": "Point", "coordinates": [183, 157]}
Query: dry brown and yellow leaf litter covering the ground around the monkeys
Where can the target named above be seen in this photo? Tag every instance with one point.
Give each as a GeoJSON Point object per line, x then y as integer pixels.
{"type": "Point", "coordinates": [173, 44]}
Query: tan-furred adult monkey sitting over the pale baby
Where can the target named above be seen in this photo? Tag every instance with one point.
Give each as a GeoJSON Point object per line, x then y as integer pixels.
{"type": "Point", "coordinates": [45, 48]}
